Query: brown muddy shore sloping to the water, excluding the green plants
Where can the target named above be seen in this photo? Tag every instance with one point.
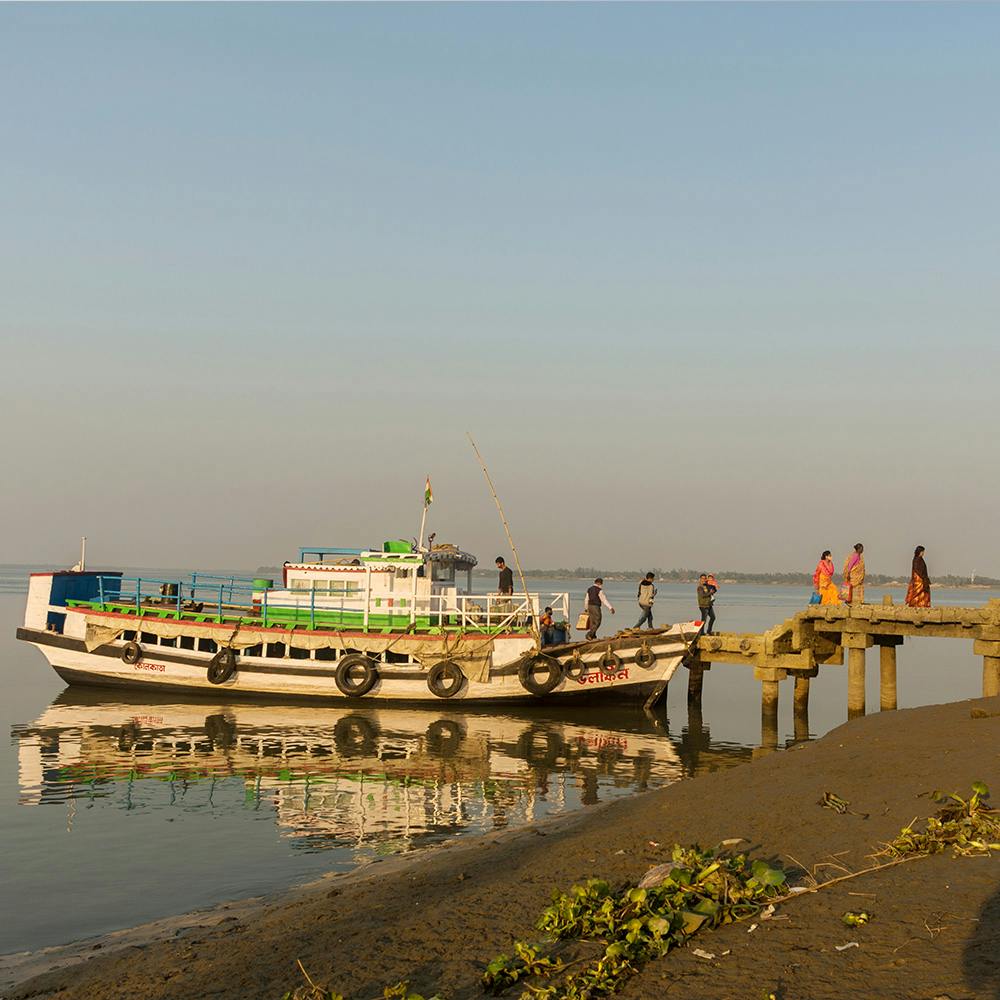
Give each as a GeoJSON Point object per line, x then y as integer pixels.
{"type": "Point", "coordinates": [436, 918]}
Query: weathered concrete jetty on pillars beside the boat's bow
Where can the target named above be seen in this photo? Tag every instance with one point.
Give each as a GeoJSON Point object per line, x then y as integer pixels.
{"type": "Point", "coordinates": [818, 636]}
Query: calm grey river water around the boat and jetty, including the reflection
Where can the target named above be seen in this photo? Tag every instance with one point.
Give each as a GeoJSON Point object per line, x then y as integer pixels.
{"type": "Point", "coordinates": [116, 810]}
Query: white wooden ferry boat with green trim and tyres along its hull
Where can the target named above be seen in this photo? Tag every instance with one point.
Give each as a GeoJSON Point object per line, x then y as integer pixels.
{"type": "Point", "coordinates": [359, 624]}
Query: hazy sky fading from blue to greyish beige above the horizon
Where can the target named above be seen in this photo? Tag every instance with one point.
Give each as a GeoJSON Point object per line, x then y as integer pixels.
{"type": "Point", "coordinates": [713, 285]}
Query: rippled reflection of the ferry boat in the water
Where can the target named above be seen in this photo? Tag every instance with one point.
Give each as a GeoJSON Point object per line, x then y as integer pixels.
{"type": "Point", "coordinates": [375, 780]}
